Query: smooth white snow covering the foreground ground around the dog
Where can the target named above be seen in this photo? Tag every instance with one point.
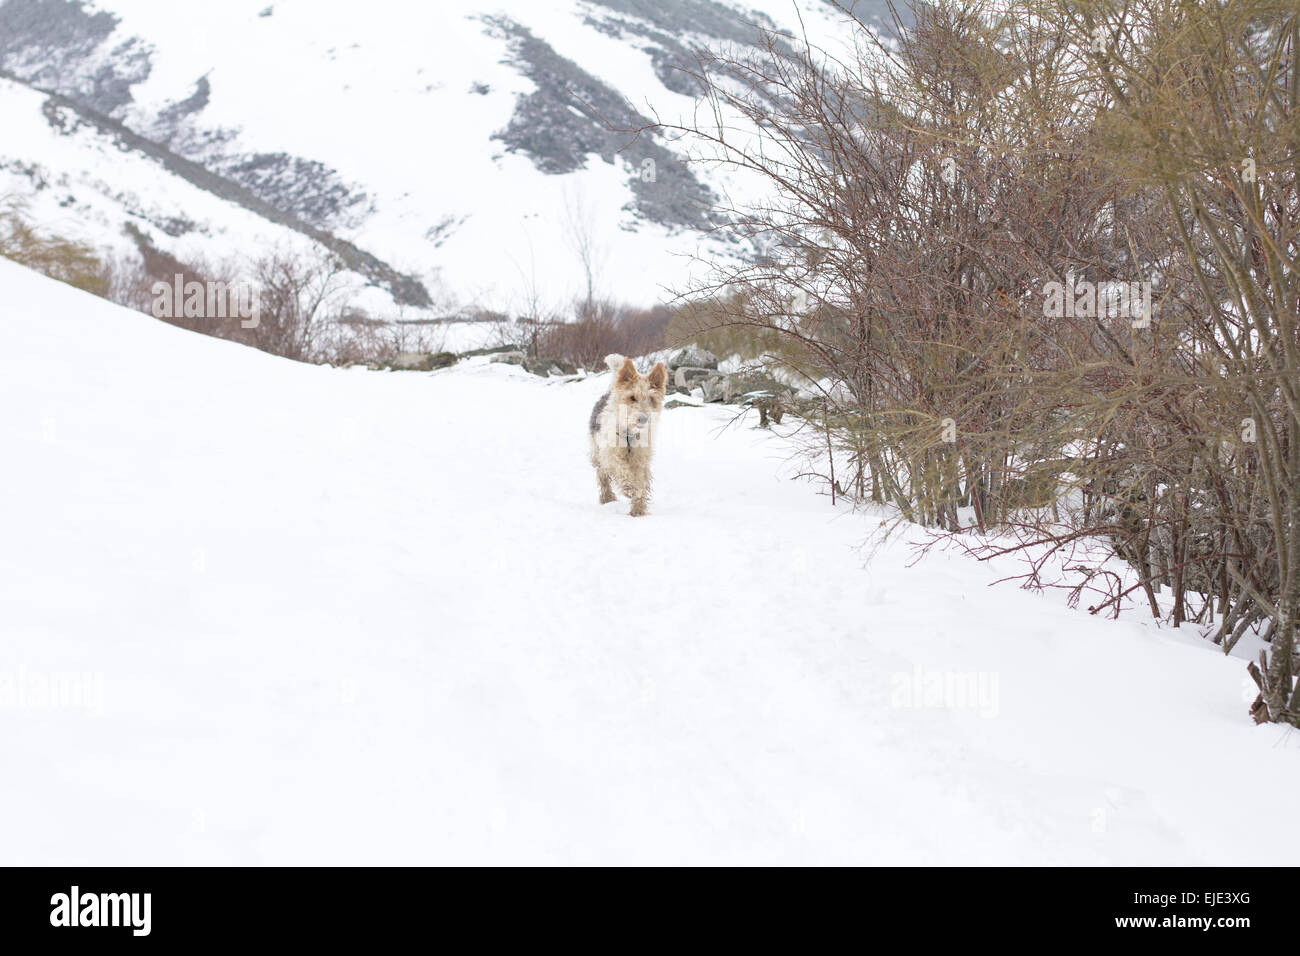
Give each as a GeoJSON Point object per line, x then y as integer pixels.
{"type": "Point", "coordinates": [320, 616]}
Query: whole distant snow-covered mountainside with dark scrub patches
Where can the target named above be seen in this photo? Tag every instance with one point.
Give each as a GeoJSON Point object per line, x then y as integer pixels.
{"type": "Point", "coordinates": [443, 140]}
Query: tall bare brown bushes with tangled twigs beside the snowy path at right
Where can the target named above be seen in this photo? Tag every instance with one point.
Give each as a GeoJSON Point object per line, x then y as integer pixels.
{"type": "Point", "coordinates": [930, 196]}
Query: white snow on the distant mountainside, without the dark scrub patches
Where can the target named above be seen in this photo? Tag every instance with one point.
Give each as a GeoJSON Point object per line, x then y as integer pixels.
{"type": "Point", "coordinates": [384, 97]}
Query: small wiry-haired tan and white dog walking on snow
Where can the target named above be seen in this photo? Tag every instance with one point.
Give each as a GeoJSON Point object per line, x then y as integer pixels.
{"type": "Point", "coordinates": [623, 431]}
